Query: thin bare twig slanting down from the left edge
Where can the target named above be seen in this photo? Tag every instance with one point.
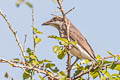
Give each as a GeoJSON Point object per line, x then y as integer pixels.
{"type": "Point", "coordinates": [14, 33]}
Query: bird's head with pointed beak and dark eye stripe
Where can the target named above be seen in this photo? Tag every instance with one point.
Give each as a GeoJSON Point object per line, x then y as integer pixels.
{"type": "Point", "coordinates": [56, 22]}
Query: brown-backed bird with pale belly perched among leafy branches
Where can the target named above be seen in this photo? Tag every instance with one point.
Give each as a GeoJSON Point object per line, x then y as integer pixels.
{"type": "Point", "coordinates": [82, 49]}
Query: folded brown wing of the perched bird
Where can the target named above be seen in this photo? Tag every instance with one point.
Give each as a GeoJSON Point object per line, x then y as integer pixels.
{"type": "Point", "coordinates": [77, 36]}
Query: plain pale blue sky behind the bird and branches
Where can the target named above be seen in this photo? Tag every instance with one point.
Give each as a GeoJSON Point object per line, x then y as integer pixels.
{"type": "Point", "coordinates": [98, 20]}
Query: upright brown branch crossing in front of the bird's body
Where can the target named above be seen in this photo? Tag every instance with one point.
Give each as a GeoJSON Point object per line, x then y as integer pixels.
{"type": "Point", "coordinates": [68, 50]}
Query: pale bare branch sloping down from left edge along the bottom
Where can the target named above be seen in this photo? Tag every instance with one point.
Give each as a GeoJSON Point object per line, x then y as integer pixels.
{"type": "Point", "coordinates": [23, 66]}
